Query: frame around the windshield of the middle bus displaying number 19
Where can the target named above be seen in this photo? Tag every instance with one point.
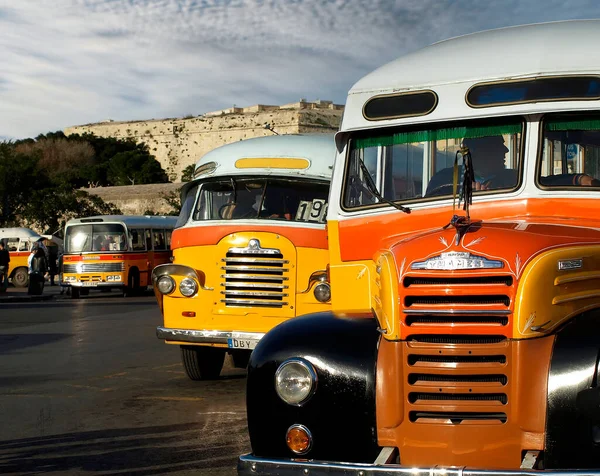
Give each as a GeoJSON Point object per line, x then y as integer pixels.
{"type": "Point", "coordinates": [256, 178]}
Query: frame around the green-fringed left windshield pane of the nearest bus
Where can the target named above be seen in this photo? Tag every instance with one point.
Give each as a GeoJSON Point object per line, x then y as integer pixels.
{"type": "Point", "coordinates": [383, 131]}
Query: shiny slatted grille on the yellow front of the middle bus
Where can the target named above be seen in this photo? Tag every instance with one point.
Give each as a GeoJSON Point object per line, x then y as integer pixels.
{"type": "Point", "coordinates": [254, 279]}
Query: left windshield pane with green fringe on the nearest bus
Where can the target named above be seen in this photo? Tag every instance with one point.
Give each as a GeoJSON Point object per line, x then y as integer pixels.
{"type": "Point", "coordinates": [419, 163]}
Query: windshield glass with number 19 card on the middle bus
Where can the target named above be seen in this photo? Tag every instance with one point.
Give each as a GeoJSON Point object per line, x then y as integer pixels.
{"type": "Point", "coordinates": [270, 198]}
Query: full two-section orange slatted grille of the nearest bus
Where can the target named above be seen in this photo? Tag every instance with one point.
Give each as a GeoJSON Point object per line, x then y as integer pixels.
{"type": "Point", "coordinates": [457, 378]}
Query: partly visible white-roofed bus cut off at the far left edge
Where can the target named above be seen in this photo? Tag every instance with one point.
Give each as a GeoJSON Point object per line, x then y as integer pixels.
{"type": "Point", "coordinates": [18, 242]}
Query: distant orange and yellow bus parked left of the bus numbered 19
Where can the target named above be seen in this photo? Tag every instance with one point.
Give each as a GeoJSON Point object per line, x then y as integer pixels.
{"type": "Point", "coordinates": [114, 251]}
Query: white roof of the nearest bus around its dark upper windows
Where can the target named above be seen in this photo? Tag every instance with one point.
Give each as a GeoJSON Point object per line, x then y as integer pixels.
{"type": "Point", "coordinates": [451, 67]}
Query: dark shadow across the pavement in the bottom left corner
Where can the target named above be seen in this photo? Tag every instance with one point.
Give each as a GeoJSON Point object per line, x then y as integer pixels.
{"type": "Point", "coordinates": [133, 451]}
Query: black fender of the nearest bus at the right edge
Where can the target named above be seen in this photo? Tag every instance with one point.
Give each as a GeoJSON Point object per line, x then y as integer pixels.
{"type": "Point", "coordinates": [572, 417]}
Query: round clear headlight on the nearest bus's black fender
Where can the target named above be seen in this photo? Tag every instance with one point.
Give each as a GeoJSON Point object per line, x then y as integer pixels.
{"type": "Point", "coordinates": [295, 381]}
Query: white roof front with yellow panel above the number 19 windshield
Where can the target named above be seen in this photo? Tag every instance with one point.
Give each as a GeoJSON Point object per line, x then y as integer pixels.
{"type": "Point", "coordinates": [305, 155]}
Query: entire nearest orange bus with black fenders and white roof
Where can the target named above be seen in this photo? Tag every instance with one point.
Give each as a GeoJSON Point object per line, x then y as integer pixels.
{"type": "Point", "coordinates": [464, 262]}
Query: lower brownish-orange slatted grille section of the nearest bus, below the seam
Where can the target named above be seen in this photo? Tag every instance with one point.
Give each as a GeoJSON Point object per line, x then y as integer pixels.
{"type": "Point", "coordinates": [458, 380]}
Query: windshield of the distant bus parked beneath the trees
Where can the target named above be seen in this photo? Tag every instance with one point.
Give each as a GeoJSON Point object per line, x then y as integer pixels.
{"type": "Point", "coordinates": [96, 237]}
